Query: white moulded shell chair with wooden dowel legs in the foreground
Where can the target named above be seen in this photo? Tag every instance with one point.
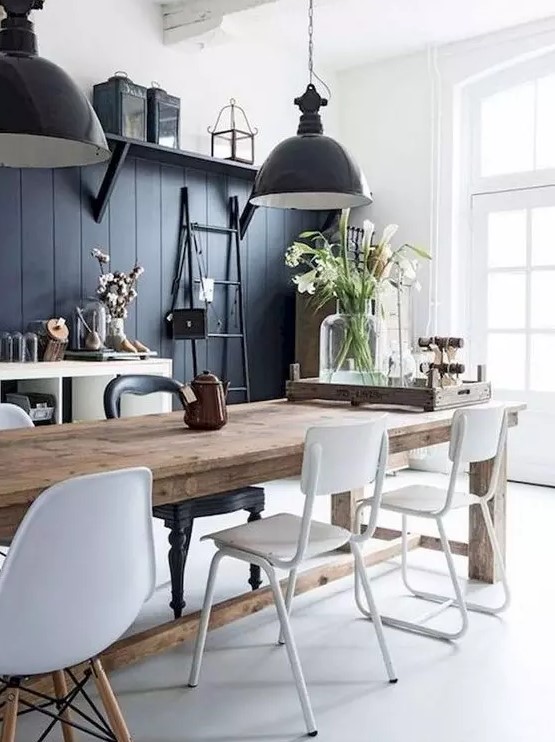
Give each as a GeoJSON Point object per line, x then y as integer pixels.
{"type": "Point", "coordinates": [80, 567]}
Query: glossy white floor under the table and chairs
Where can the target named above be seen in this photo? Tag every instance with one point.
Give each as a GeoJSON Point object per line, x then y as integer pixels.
{"type": "Point", "coordinates": [497, 684]}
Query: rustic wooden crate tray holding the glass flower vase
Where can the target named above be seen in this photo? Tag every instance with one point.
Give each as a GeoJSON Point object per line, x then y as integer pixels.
{"type": "Point", "coordinates": [419, 397]}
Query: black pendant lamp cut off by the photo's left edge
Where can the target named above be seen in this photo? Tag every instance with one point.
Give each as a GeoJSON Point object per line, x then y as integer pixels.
{"type": "Point", "coordinates": [46, 121]}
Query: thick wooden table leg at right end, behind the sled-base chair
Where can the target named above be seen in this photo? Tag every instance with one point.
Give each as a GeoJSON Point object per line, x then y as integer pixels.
{"type": "Point", "coordinates": [482, 564]}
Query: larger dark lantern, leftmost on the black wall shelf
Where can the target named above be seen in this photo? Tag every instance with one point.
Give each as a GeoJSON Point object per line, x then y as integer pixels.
{"type": "Point", "coordinates": [121, 106]}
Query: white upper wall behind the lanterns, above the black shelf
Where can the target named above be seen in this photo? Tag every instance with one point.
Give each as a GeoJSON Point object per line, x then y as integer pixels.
{"type": "Point", "coordinates": [92, 39]}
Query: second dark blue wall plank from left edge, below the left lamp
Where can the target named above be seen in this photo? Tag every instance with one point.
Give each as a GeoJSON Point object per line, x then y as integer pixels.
{"type": "Point", "coordinates": [37, 245]}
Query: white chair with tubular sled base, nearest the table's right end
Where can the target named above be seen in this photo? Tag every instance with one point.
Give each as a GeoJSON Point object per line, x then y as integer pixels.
{"type": "Point", "coordinates": [478, 434]}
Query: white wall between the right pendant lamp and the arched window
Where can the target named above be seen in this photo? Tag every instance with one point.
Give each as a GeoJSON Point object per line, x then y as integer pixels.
{"type": "Point", "coordinates": [399, 117]}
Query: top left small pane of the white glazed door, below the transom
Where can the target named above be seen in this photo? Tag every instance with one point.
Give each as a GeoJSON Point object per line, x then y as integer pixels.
{"type": "Point", "coordinates": [507, 239]}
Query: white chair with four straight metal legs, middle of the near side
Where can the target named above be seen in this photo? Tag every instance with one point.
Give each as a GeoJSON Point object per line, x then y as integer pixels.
{"type": "Point", "coordinates": [336, 459]}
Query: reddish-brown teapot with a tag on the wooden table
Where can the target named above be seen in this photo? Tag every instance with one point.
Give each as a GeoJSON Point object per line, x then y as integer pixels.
{"type": "Point", "coordinates": [205, 402]}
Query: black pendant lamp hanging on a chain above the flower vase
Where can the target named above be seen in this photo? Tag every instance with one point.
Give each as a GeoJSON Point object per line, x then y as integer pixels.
{"type": "Point", "coordinates": [310, 171]}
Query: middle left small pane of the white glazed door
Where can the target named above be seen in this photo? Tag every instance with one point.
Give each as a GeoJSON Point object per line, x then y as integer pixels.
{"type": "Point", "coordinates": [506, 301]}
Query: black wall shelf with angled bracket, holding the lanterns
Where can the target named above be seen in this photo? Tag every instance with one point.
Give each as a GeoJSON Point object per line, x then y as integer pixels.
{"type": "Point", "coordinates": [122, 148]}
